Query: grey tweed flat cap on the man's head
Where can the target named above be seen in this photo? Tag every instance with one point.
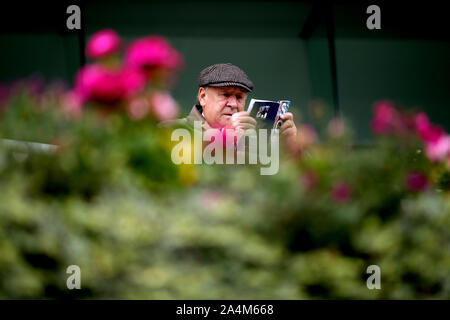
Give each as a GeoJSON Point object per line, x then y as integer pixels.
{"type": "Point", "coordinates": [224, 75]}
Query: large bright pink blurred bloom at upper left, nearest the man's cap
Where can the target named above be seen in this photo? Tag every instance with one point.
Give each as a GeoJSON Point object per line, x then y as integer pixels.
{"type": "Point", "coordinates": [152, 51]}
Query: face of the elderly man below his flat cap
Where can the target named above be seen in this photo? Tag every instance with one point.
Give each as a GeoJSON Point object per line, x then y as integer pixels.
{"type": "Point", "coordinates": [220, 103]}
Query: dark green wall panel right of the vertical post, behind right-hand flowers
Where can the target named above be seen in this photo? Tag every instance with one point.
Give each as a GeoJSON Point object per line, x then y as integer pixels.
{"type": "Point", "coordinates": [413, 73]}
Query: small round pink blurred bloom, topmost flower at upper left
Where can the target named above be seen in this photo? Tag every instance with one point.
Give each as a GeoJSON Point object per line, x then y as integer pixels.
{"type": "Point", "coordinates": [103, 43]}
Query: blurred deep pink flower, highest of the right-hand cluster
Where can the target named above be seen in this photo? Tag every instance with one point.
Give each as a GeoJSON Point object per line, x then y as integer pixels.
{"type": "Point", "coordinates": [386, 119]}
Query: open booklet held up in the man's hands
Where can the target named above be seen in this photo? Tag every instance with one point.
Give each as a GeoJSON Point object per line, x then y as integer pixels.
{"type": "Point", "coordinates": [267, 113]}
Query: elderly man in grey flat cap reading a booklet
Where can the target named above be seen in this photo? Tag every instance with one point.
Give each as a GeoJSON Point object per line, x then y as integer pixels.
{"type": "Point", "coordinates": [221, 97]}
